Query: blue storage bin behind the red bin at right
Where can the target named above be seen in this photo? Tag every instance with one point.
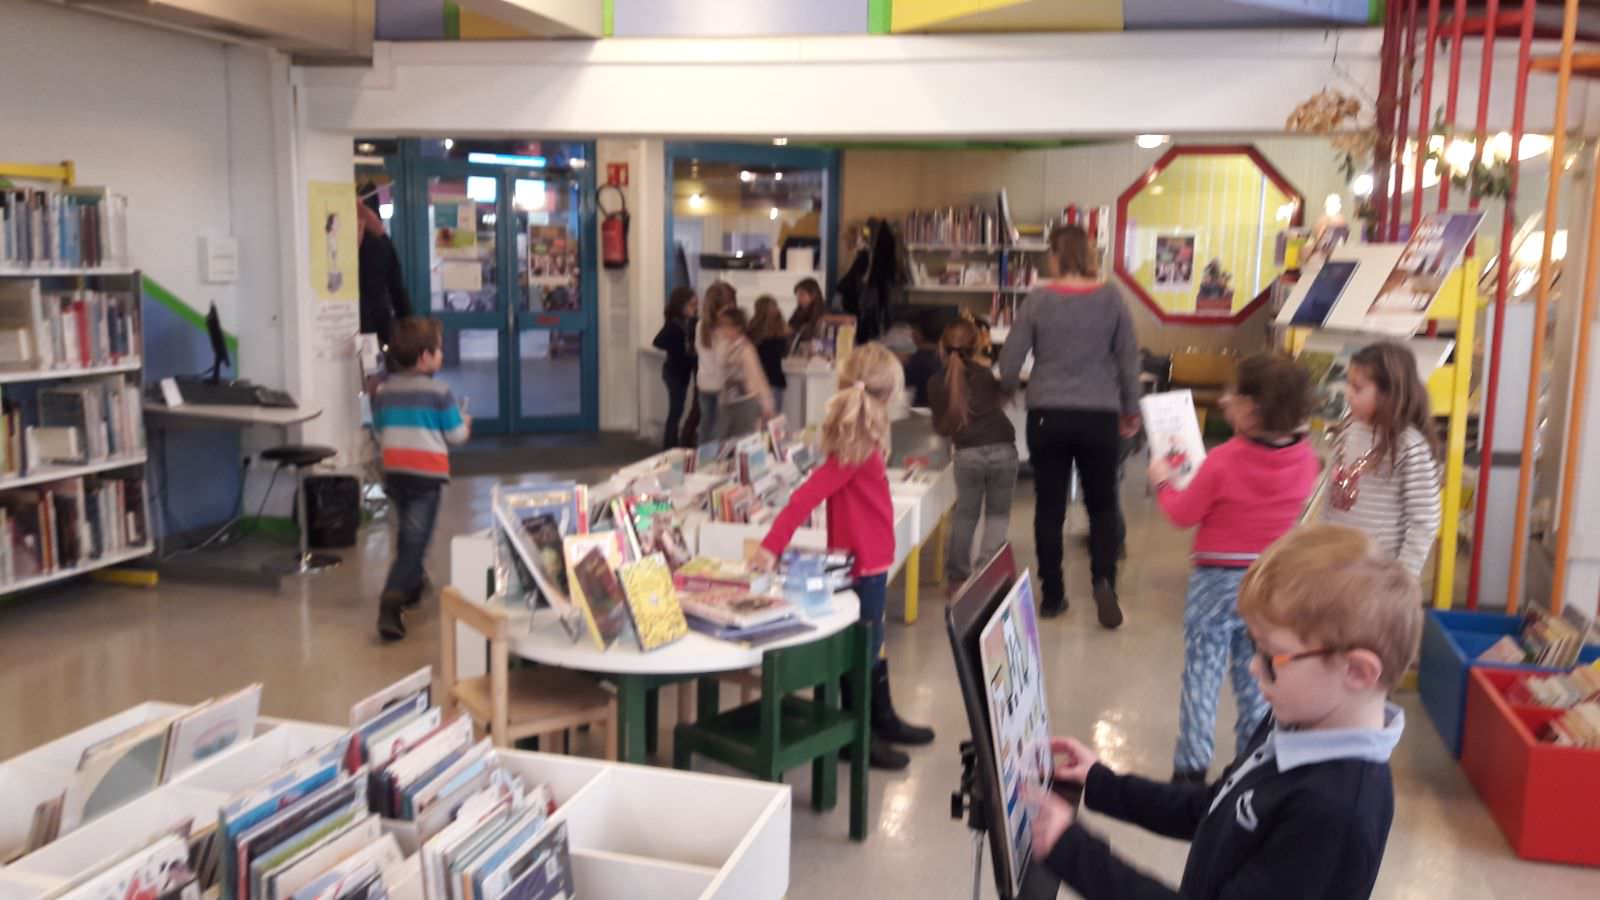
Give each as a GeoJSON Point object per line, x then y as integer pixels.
{"type": "Point", "coordinates": [1452, 643]}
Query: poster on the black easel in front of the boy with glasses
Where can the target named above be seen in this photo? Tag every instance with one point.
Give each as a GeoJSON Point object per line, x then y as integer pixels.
{"type": "Point", "coordinates": [1018, 717]}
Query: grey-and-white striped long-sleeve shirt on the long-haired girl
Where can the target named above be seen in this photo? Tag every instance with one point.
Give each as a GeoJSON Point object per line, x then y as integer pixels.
{"type": "Point", "coordinates": [1398, 500]}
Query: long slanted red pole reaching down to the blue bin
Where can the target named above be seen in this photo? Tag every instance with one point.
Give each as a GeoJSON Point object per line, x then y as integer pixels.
{"type": "Point", "coordinates": [1502, 289]}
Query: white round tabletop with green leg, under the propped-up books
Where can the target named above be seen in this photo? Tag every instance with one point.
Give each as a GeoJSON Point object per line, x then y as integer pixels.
{"type": "Point", "coordinates": [639, 673]}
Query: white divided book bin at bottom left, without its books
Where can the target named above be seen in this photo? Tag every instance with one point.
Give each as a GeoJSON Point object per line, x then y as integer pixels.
{"type": "Point", "coordinates": [673, 835]}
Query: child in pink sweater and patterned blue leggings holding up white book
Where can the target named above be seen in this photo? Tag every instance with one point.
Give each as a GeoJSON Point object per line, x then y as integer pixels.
{"type": "Point", "coordinates": [1247, 494]}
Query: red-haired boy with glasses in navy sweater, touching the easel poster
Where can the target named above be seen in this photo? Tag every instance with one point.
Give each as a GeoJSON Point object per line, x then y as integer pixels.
{"type": "Point", "coordinates": [1306, 808]}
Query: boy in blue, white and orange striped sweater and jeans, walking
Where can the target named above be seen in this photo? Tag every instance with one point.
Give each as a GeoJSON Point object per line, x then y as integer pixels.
{"type": "Point", "coordinates": [417, 420]}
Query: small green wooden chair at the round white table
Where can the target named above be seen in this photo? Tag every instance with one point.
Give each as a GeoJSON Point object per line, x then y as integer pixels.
{"type": "Point", "coordinates": [780, 733]}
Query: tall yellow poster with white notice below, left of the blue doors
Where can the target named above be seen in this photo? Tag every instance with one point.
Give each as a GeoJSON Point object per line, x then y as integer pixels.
{"type": "Point", "coordinates": [337, 318]}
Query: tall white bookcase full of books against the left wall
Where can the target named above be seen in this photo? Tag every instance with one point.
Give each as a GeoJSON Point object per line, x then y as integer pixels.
{"type": "Point", "coordinates": [74, 496]}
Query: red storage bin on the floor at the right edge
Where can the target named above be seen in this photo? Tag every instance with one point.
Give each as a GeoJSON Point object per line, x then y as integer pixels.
{"type": "Point", "coordinates": [1545, 798]}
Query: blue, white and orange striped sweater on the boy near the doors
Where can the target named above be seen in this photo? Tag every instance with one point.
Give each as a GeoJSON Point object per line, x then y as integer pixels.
{"type": "Point", "coordinates": [417, 420]}
